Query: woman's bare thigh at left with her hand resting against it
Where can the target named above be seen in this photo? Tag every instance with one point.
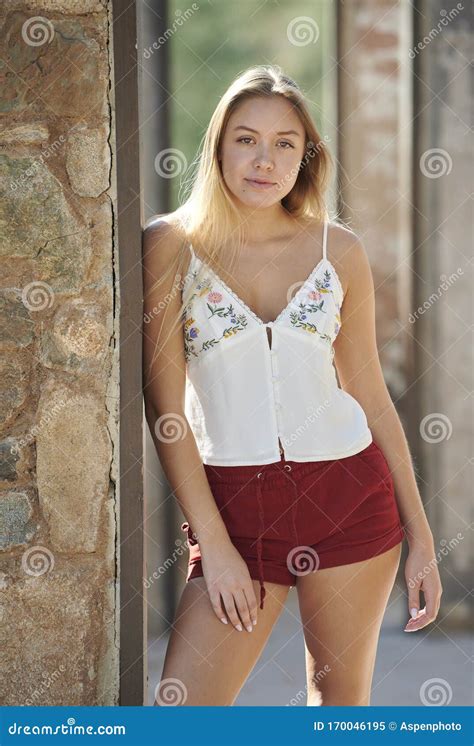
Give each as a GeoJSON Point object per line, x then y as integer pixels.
{"type": "Point", "coordinates": [207, 662]}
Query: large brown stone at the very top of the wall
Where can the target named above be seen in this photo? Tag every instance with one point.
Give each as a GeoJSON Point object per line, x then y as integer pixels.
{"type": "Point", "coordinates": [61, 64]}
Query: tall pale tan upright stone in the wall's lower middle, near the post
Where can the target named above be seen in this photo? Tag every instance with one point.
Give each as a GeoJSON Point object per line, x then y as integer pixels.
{"type": "Point", "coordinates": [73, 467]}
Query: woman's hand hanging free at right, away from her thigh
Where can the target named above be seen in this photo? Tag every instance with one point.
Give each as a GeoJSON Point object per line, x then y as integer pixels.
{"type": "Point", "coordinates": [421, 574]}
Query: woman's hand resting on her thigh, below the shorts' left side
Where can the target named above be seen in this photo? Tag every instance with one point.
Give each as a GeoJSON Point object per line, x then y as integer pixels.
{"type": "Point", "coordinates": [229, 585]}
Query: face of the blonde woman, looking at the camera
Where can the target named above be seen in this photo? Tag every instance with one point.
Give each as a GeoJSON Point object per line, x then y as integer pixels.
{"type": "Point", "coordinates": [265, 140]}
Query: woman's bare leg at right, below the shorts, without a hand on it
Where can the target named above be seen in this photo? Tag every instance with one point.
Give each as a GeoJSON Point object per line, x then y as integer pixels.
{"type": "Point", "coordinates": [342, 609]}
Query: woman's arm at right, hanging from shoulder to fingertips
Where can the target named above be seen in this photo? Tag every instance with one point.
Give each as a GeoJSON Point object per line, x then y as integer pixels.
{"type": "Point", "coordinates": [360, 374]}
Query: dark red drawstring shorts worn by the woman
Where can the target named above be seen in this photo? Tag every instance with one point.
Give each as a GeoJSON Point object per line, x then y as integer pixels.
{"type": "Point", "coordinates": [291, 518]}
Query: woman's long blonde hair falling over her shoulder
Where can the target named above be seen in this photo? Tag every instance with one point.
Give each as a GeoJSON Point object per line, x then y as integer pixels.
{"type": "Point", "coordinates": [209, 218]}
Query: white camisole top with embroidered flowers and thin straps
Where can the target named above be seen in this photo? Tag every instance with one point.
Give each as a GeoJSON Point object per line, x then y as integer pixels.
{"type": "Point", "coordinates": [250, 401]}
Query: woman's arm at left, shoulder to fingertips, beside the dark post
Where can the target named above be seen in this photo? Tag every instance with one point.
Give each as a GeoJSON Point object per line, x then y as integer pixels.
{"type": "Point", "coordinates": [164, 378]}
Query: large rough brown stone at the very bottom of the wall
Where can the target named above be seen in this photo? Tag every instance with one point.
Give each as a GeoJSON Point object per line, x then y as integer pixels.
{"type": "Point", "coordinates": [55, 626]}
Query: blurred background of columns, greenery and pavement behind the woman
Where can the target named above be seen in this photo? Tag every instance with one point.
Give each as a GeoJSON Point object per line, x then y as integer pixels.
{"type": "Point", "coordinates": [389, 88]}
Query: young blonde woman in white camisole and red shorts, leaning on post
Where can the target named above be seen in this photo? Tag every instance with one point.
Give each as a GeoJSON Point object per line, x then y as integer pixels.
{"type": "Point", "coordinates": [252, 295]}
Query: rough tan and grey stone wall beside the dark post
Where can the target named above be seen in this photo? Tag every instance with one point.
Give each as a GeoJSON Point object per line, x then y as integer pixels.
{"type": "Point", "coordinates": [58, 382]}
